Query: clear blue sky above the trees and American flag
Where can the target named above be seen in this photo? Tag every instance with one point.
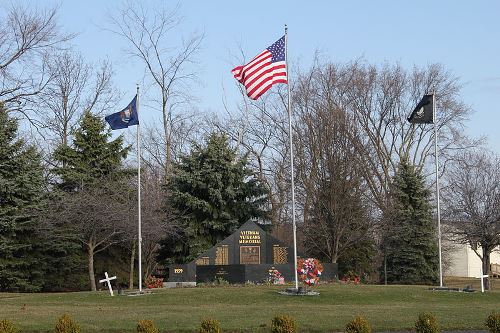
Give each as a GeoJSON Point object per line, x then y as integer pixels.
{"type": "Point", "coordinates": [462, 35]}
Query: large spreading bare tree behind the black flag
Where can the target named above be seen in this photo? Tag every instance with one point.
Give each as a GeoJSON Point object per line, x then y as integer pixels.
{"type": "Point", "coordinates": [381, 99]}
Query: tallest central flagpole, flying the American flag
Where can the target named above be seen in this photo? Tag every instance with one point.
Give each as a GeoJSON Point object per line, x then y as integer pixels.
{"type": "Point", "coordinates": [291, 163]}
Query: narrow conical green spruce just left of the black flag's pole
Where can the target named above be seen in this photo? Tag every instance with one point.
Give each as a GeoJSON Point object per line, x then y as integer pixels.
{"type": "Point", "coordinates": [410, 239]}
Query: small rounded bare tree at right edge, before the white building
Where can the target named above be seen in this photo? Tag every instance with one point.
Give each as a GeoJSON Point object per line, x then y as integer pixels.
{"type": "Point", "coordinates": [472, 203]}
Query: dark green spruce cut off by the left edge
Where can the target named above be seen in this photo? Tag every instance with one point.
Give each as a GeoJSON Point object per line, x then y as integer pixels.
{"type": "Point", "coordinates": [22, 187]}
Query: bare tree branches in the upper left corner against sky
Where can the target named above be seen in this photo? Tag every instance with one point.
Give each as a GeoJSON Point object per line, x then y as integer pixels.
{"type": "Point", "coordinates": [28, 38]}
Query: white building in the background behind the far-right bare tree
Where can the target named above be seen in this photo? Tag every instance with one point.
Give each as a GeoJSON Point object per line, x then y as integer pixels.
{"type": "Point", "coordinates": [462, 261]}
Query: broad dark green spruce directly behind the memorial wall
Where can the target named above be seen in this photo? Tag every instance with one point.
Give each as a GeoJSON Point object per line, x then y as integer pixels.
{"type": "Point", "coordinates": [212, 193]}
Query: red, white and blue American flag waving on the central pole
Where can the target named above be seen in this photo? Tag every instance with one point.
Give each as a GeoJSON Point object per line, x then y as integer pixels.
{"type": "Point", "coordinates": [266, 69]}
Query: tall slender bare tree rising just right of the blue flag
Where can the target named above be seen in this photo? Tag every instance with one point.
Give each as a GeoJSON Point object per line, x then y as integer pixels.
{"type": "Point", "coordinates": [150, 34]}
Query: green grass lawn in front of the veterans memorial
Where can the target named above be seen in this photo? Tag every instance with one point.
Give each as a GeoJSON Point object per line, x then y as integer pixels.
{"type": "Point", "coordinates": [251, 308]}
